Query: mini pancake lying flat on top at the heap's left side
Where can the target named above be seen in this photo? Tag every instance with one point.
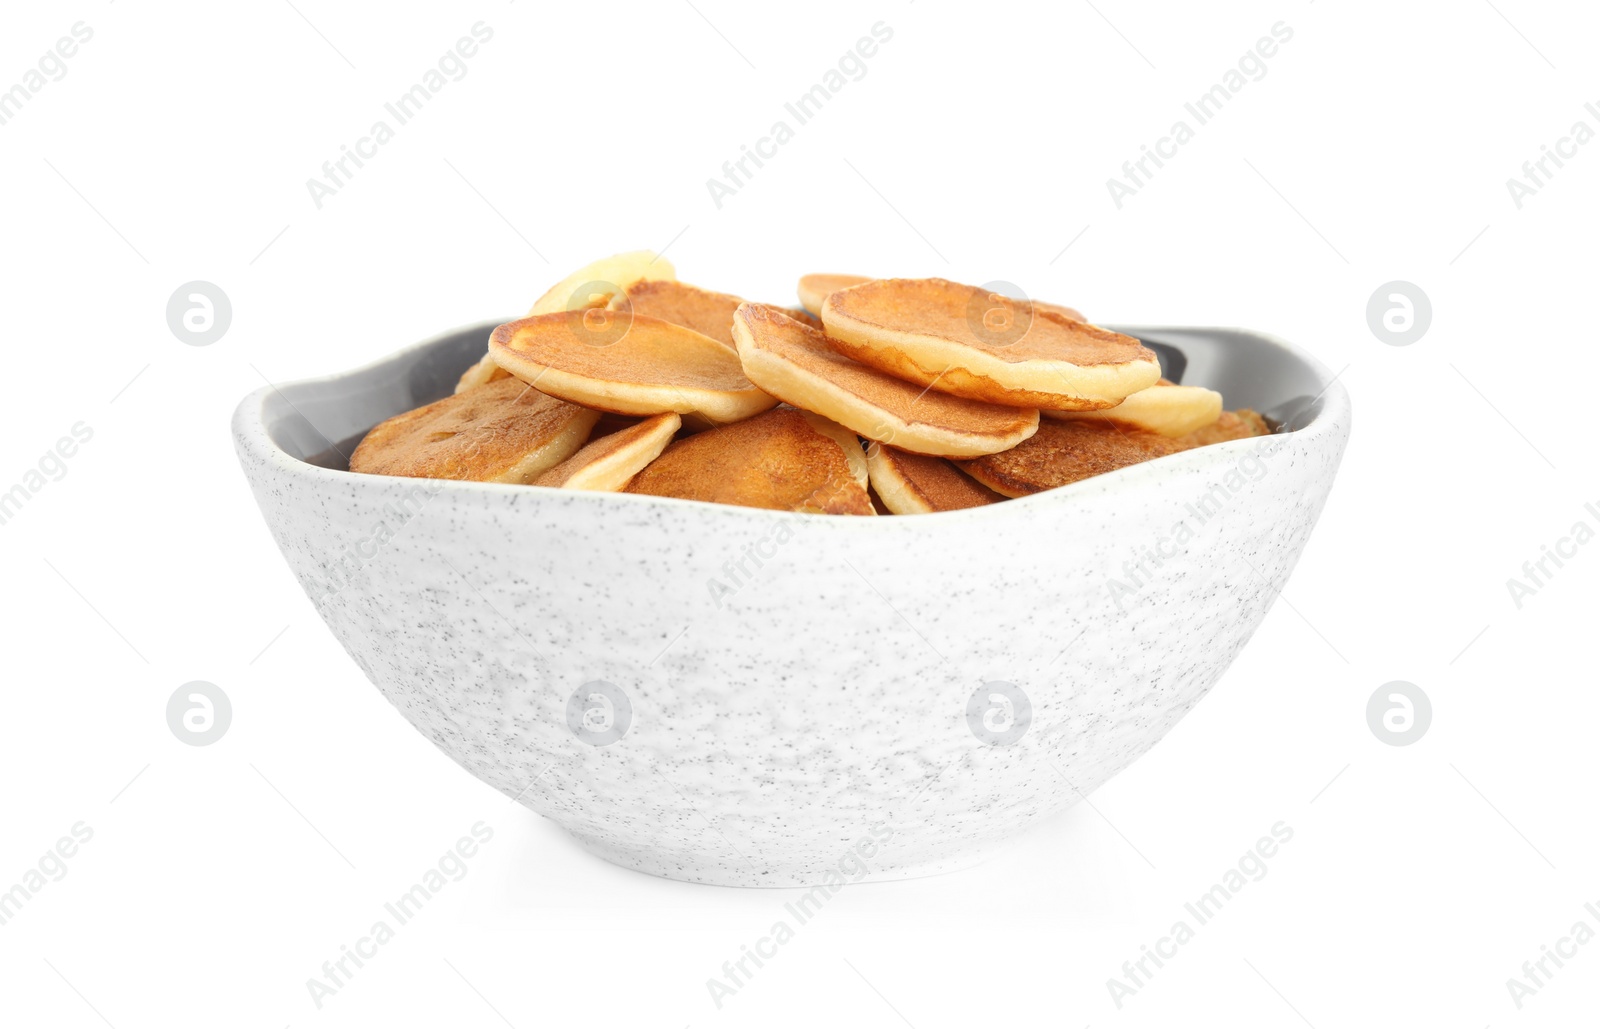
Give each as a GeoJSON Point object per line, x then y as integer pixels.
{"type": "Point", "coordinates": [639, 366]}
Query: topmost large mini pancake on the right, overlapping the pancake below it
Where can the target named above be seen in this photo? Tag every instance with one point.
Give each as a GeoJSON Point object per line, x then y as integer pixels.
{"type": "Point", "coordinates": [966, 342]}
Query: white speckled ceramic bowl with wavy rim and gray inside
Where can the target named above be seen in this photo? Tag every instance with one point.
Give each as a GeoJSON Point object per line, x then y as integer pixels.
{"type": "Point", "coordinates": [764, 699]}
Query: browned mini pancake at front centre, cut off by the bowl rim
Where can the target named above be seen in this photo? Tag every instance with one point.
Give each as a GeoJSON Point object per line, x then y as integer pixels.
{"type": "Point", "coordinates": [783, 460]}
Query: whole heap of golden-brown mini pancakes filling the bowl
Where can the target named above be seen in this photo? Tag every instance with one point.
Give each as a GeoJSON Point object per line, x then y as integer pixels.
{"type": "Point", "coordinates": [879, 396]}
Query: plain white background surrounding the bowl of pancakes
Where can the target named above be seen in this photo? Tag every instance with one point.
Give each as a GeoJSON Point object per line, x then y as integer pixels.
{"type": "Point", "coordinates": [978, 148]}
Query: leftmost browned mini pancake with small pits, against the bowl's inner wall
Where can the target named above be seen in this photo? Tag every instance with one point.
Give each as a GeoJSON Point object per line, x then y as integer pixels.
{"type": "Point", "coordinates": [502, 431]}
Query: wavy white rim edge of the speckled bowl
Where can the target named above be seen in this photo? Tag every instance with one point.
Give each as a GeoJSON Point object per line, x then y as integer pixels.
{"type": "Point", "coordinates": [252, 438]}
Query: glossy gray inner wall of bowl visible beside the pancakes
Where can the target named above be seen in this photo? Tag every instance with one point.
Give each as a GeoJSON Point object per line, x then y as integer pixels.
{"type": "Point", "coordinates": [321, 422]}
